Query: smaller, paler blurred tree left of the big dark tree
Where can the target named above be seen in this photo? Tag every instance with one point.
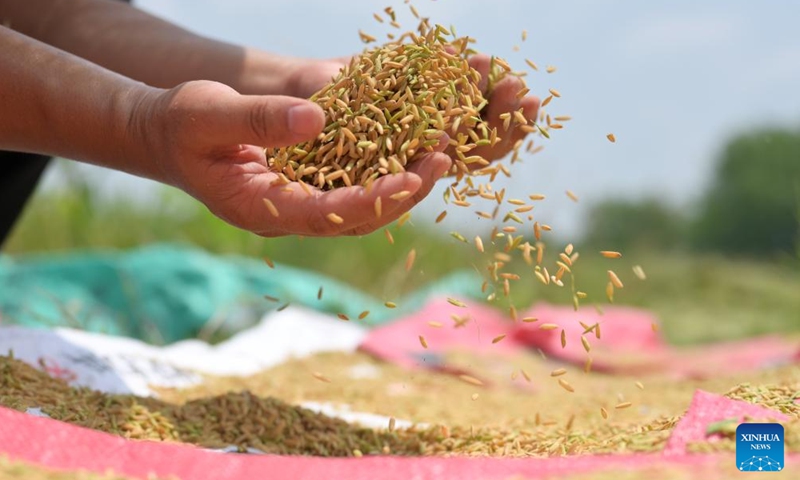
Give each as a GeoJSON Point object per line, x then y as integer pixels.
{"type": "Point", "coordinates": [619, 224]}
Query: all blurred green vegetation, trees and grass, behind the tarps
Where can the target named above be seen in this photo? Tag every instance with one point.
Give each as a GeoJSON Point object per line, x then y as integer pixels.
{"type": "Point", "coordinates": [725, 267]}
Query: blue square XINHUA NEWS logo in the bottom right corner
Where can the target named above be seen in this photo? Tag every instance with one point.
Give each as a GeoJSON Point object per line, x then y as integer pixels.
{"type": "Point", "coordinates": [759, 447]}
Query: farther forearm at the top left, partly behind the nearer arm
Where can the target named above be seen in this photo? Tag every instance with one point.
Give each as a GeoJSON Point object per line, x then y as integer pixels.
{"type": "Point", "coordinates": [143, 47]}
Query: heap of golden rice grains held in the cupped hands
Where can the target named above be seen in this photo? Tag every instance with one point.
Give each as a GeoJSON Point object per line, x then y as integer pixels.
{"type": "Point", "coordinates": [392, 102]}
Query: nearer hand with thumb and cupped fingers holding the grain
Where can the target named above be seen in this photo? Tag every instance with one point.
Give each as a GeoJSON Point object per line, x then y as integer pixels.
{"type": "Point", "coordinates": [202, 137]}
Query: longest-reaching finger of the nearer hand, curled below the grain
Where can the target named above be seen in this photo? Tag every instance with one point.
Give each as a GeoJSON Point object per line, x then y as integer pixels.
{"type": "Point", "coordinates": [429, 168]}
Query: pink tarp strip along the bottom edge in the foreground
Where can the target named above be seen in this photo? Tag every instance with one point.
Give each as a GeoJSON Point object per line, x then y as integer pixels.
{"type": "Point", "coordinates": [62, 446]}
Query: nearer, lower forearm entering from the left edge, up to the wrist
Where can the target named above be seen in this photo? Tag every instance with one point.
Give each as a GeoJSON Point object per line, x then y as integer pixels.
{"type": "Point", "coordinates": [57, 104]}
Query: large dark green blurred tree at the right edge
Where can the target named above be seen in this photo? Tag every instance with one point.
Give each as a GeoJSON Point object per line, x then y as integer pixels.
{"type": "Point", "coordinates": [752, 205]}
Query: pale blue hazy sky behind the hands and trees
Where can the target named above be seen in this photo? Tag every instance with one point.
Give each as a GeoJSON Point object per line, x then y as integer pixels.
{"type": "Point", "coordinates": [671, 80]}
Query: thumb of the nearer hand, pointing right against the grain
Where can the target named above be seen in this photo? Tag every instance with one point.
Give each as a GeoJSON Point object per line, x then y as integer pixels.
{"type": "Point", "coordinates": [269, 121]}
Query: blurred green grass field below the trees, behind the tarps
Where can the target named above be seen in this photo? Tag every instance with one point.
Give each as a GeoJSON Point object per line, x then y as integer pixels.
{"type": "Point", "coordinates": [699, 298]}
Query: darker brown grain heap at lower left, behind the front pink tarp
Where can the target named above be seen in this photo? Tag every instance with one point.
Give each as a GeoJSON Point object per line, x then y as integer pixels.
{"type": "Point", "coordinates": [239, 419]}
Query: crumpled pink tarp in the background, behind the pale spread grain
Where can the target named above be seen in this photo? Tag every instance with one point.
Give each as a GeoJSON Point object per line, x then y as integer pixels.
{"type": "Point", "coordinates": [628, 342]}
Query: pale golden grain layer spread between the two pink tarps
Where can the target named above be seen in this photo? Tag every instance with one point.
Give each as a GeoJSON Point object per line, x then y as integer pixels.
{"type": "Point", "coordinates": [512, 417]}
